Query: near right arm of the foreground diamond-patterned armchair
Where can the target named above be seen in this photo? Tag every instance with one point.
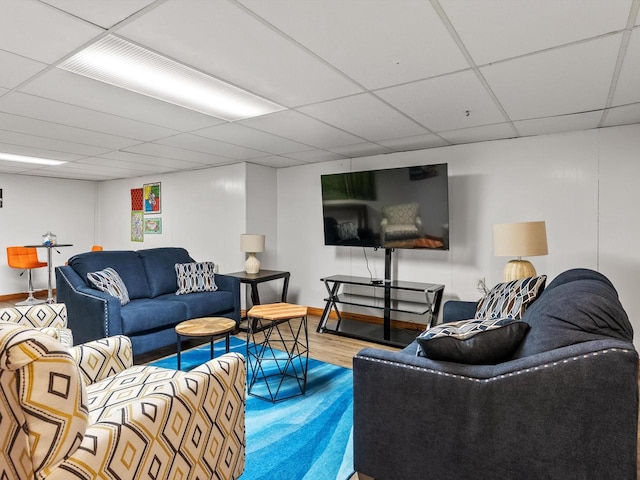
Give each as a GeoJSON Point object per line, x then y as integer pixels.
{"type": "Point", "coordinates": [192, 427]}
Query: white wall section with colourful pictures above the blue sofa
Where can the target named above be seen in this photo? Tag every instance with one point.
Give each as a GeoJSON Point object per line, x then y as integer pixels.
{"type": "Point", "coordinates": [202, 211]}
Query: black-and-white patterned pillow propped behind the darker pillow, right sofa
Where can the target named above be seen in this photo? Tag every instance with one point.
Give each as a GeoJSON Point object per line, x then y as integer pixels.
{"type": "Point", "coordinates": [510, 299]}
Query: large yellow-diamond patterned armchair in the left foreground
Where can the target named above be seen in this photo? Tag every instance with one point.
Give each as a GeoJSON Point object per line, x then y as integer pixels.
{"type": "Point", "coordinates": [89, 413]}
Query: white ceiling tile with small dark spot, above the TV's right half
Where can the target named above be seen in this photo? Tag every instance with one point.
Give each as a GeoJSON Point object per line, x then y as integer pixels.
{"type": "Point", "coordinates": [441, 103]}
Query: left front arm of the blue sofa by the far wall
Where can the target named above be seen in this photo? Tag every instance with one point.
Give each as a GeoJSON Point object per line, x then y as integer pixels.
{"type": "Point", "coordinates": [91, 314]}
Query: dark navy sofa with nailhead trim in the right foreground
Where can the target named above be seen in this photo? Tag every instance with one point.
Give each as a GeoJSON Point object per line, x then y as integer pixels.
{"type": "Point", "coordinates": [565, 406]}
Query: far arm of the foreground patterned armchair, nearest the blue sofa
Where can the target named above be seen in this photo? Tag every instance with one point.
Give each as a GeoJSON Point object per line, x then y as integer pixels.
{"type": "Point", "coordinates": [103, 358]}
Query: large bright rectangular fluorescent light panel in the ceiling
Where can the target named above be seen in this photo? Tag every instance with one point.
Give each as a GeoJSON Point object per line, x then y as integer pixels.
{"type": "Point", "coordinates": [117, 62]}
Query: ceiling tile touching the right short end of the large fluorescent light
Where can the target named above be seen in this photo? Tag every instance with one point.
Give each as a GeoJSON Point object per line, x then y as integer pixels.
{"type": "Point", "coordinates": [301, 128]}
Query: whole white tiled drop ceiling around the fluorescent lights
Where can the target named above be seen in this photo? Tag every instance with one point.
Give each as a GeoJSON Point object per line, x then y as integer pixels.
{"type": "Point", "coordinates": [355, 78]}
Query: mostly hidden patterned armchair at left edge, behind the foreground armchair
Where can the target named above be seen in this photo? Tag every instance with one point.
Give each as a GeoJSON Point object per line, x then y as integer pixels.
{"type": "Point", "coordinates": [52, 319]}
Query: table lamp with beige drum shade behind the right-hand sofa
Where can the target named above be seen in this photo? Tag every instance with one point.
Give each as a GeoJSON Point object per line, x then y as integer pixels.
{"type": "Point", "coordinates": [524, 239]}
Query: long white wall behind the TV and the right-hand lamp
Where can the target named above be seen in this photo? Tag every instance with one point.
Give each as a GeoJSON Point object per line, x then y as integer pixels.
{"type": "Point", "coordinates": [583, 184]}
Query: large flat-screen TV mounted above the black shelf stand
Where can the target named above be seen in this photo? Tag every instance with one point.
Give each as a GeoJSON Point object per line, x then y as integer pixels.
{"type": "Point", "coordinates": [392, 208]}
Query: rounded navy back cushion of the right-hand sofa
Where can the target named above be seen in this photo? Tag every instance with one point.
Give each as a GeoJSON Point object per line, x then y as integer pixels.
{"type": "Point", "coordinates": [578, 306]}
